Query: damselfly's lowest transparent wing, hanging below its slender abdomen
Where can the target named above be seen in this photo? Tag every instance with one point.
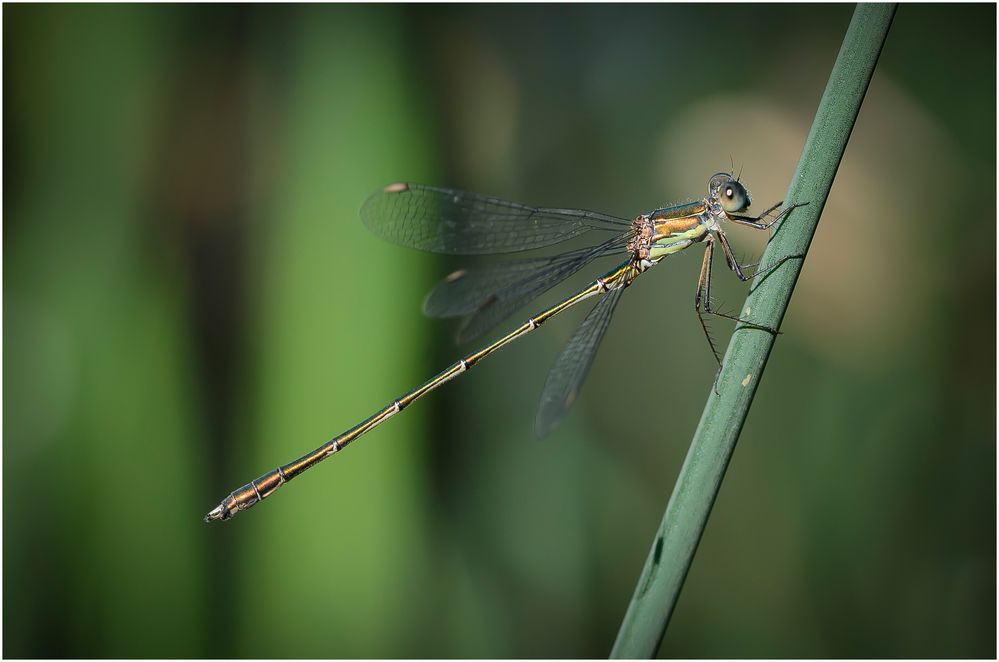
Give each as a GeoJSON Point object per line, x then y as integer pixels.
{"type": "Point", "coordinates": [567, 375]}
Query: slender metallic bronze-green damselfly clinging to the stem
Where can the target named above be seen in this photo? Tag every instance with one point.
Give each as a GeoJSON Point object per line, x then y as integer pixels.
{"type": "Point", "coordinates": [454, 222]}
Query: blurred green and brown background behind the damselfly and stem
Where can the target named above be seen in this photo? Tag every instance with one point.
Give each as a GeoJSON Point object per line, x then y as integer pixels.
{"type": "Point", "coordinates": [189, 300]}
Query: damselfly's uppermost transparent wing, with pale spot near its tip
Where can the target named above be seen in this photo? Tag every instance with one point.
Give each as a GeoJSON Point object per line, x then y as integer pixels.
{"type": "Point", "coordinates": [444, 220]}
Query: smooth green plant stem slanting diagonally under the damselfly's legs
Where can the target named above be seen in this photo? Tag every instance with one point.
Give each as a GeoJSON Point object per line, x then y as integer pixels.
{"type": "Point", "coordinates": [725, 411]}
